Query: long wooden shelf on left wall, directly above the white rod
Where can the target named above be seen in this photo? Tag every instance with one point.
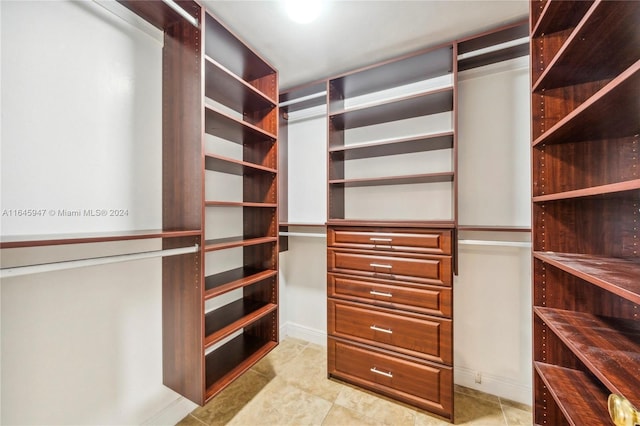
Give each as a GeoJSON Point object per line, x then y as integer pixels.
{"type": "Point", "coordinates": [17, 241]}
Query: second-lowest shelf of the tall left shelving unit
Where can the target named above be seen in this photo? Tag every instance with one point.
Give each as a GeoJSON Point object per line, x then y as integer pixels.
{"type": "Point", "coordinates": [230, 318]}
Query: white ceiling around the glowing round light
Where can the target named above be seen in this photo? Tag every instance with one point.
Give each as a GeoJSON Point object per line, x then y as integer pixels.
{"type": "Point", "coordinates": [351, 34]}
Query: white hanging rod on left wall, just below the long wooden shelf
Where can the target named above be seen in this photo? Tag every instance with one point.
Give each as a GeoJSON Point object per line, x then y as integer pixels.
{"type": "Point", "coordinates": [92, 261]}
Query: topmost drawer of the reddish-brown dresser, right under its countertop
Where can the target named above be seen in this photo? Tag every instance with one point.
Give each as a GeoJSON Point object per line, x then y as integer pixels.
{"type": "Point", "coordinates": [435, 241]}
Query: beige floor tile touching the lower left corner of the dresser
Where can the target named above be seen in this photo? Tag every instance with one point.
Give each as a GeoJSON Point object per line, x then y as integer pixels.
{"type": "Point", "coordinates": [308, 371]}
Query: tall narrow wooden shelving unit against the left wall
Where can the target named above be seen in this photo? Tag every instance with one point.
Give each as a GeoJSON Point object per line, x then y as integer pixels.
{"type": "Point", "coordinates": [207, 342]}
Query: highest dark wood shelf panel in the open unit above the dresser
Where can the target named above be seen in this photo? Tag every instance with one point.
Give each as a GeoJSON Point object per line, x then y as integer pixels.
{"type": "Point", "coordinates": [396, 72]}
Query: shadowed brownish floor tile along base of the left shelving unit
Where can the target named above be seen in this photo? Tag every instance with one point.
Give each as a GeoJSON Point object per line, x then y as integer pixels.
{"type": "Point", "coordinates": [228, 403]}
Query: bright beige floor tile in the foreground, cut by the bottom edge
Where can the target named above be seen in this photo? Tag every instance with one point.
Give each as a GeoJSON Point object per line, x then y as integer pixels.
{"type": "Point", "coordinates": [282, 404]}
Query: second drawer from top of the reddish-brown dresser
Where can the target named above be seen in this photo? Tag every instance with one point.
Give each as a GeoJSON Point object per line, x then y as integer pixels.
{"type": "Point", "coordinates": [419, 268]}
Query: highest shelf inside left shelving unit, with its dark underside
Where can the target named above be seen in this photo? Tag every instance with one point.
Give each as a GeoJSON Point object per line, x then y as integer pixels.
{"type": "Point", "coordinates": [228, 89]}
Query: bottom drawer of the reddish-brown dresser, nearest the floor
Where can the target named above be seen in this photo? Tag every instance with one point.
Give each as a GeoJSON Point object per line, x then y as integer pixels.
{"type": "Point", "coordinates": [421, 384]}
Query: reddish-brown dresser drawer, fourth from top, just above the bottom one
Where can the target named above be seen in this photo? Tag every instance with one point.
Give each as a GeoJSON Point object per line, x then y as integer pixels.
{"type": "Point", "coordinates": [413, 334]}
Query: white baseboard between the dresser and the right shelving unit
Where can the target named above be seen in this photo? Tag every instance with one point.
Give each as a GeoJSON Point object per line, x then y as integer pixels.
{"type": "Point", "coordinates": [494, 385]}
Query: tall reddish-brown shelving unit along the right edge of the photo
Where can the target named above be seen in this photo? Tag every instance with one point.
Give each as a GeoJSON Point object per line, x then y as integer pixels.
{"type": "Point", "coordinates": [586, 194]}
